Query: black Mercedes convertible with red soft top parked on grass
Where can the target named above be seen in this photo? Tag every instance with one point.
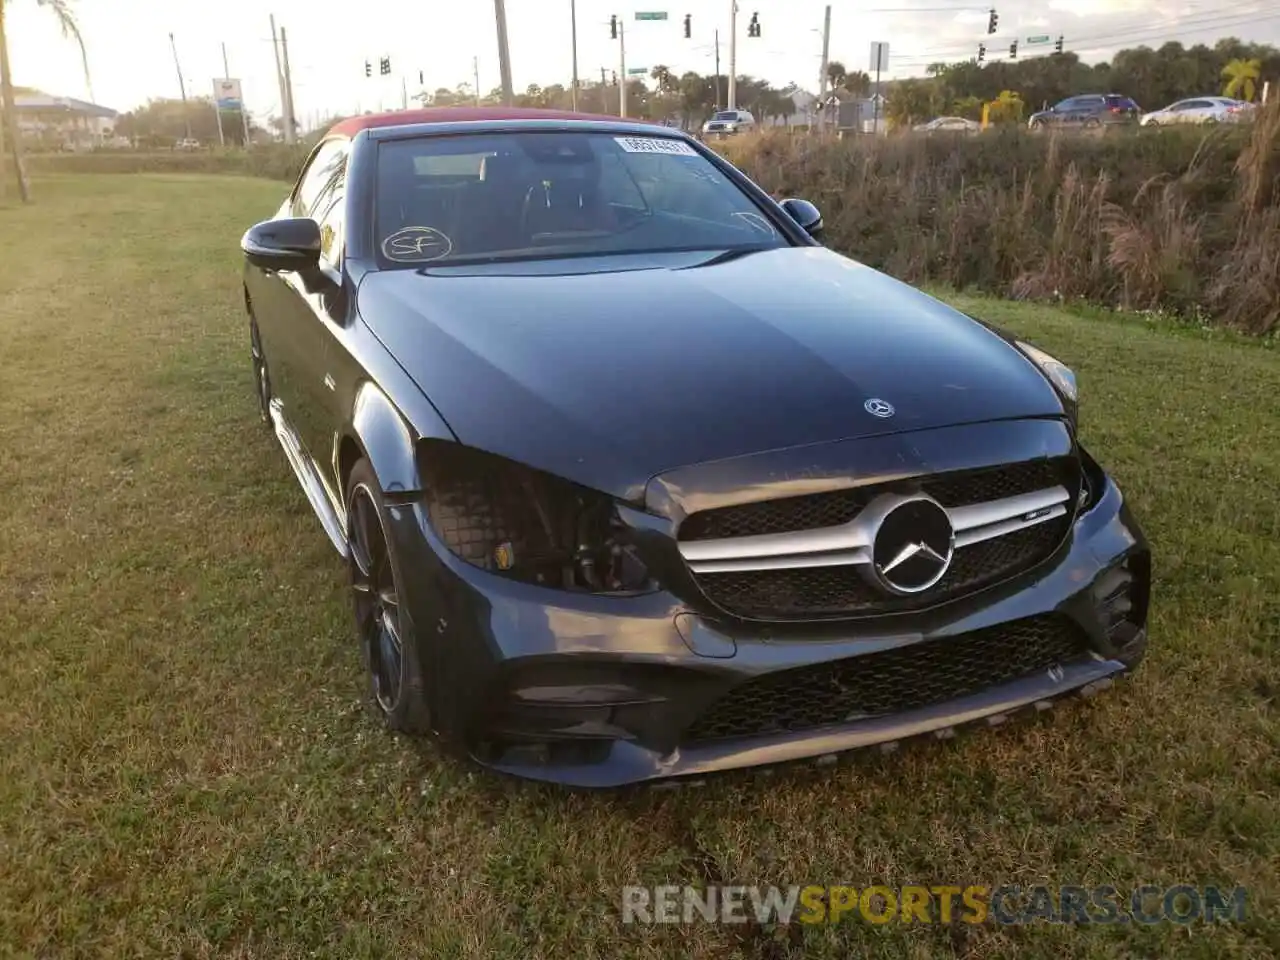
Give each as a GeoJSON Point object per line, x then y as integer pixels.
{"type": "Point", "coordinates": [636, 479]}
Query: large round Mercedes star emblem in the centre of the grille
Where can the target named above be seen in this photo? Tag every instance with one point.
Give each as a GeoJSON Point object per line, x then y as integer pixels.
{"type": "Point", "coordinates": [913, 547]}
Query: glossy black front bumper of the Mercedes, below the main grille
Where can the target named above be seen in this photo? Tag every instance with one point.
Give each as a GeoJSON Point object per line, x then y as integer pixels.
{"type": "Point", "coordinates": [604, 692]}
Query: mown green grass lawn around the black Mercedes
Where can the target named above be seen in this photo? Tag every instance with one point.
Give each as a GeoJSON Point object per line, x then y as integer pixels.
{"type": "Point", "coordinates": [188, 767]}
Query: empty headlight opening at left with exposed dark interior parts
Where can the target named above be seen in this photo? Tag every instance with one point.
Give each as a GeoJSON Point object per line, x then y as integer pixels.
{"type": "Point", "coordinates": [527, 524]}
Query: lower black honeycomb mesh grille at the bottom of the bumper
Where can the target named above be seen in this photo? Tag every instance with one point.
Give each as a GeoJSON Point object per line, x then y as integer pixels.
{"type": "Point", "coordinates": [892, 682]}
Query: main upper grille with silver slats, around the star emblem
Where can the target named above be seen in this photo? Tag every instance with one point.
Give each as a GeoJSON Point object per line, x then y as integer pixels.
{"type": "Point", "coordinates": [1005, 520]}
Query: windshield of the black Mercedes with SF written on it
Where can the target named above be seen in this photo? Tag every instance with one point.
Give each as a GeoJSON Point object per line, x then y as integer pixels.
{"type": "Point", "coordinates": [519, 195]}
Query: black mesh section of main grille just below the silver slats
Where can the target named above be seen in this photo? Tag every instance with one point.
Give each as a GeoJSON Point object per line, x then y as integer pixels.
{"type": "Point", "coordinates": [833, 592]}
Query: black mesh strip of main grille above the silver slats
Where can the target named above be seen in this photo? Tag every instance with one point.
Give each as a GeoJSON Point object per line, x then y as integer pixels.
{"type": "Point", "coordinates": [820, 510]}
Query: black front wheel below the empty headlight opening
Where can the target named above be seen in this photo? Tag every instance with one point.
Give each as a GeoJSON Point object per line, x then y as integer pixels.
{"type": "Point", "coordinates": [383, 628]}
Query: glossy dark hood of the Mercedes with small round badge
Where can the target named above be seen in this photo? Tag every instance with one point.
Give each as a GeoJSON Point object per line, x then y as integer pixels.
{"type": "Point", "coordinates": [611, 371]}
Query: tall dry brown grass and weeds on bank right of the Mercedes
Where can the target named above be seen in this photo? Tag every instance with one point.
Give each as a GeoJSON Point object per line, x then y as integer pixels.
{"type": "Point", "coordinates": [1174, 220]}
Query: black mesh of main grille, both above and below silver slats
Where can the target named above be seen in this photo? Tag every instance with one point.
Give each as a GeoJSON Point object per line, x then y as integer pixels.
{"type": "Point", "coordinates": [808, 593]}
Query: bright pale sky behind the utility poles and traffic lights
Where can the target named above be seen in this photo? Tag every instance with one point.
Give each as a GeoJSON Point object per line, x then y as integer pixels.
{"type": "Point", "coordinates": [131, 58]}
